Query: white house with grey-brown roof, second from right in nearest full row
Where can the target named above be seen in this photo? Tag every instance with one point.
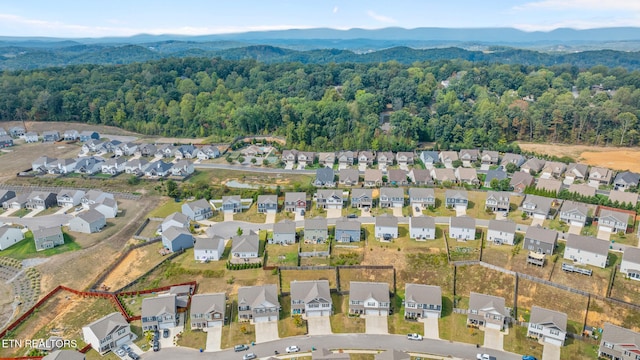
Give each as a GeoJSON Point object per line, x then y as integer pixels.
{"type": "Point", "coordinates": [548, 326]}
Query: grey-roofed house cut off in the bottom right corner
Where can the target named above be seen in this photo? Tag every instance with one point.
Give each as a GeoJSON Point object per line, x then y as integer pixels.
{"type": "Point", "coordinates": [618, 343]}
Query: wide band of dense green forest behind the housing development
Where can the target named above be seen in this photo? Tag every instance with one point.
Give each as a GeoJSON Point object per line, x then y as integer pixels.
{"type": "Point", "coordinates": [455, 103]}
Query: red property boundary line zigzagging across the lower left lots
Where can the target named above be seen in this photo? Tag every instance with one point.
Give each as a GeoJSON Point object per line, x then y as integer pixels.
{"type": "Point", "coordinates": [99, 294]}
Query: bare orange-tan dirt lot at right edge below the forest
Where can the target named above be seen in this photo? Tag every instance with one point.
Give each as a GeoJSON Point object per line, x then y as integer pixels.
{"type": "Point", "coordinates": [616, 158]}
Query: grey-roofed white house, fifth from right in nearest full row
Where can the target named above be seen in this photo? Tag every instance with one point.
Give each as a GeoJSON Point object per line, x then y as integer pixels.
{"type": "Point", "coordinates": [369, 298]}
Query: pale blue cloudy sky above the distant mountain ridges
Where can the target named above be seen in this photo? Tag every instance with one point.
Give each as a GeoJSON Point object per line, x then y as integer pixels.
{"type": "Point", "coordinates": [90, 18]}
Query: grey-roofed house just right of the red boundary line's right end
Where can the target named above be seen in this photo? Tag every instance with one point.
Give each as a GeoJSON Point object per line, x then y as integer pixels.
{"type": "Point", "coordinates": [208, 310]}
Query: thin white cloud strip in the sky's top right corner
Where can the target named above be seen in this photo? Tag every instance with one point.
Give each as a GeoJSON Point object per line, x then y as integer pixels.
{"type": "Point", "coordinates": [609, 5]}
